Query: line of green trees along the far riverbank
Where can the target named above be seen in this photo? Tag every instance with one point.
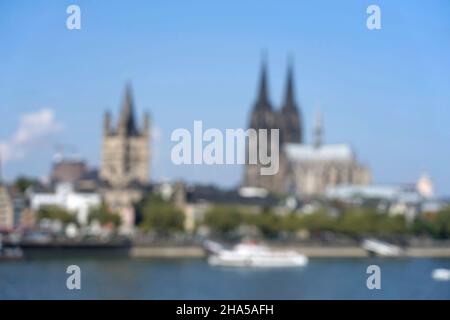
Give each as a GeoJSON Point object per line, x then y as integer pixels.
{"type": "Point", "coordinates": [160, 216]}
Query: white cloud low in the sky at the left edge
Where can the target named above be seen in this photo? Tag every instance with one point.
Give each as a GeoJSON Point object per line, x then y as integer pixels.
{"type": "Point", "coordinates": [34, 128]}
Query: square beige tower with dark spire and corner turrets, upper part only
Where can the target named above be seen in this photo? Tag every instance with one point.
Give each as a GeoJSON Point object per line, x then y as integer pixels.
{"type": "Point", "coordinates": [125, 150]}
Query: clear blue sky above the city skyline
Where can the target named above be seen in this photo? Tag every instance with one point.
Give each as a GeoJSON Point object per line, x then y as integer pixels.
{"type": "Point", "coordinates": [386, 92]}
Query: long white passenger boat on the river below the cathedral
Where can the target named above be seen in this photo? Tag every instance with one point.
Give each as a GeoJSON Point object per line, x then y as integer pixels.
{"type": "Point", "coordinates": [253, 255]}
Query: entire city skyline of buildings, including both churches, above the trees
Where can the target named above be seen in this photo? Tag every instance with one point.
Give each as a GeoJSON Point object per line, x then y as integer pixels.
{"type": "Point", "coordinates": [306, 171]}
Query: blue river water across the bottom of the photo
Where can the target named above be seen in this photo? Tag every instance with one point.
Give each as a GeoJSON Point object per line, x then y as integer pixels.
{"type": "Point", "coordinates": [122, 278]}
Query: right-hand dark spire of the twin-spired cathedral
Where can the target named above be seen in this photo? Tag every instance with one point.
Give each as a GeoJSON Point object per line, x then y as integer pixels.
{"type": "Point", "coordinates": [289, 117]}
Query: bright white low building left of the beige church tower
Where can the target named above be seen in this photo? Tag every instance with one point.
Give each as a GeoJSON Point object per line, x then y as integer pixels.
{"type": "Point", "coordinates": [65, 197]}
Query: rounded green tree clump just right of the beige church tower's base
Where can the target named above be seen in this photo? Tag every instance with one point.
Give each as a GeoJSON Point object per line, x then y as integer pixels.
{"type": "Point", "coordinates": [159, 215]}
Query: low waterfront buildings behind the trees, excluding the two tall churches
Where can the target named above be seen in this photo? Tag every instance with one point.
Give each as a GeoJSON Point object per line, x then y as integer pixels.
{"type": "Point", "coordinates": [18, 211]}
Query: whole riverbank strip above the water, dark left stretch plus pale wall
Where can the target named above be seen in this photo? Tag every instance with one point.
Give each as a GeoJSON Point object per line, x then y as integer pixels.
{"type": "Point", "coordinates": [191, 249]}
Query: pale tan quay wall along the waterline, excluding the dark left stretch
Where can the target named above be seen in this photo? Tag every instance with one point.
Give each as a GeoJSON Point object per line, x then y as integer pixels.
{"type": "Point", "coordinates": [193, 251]}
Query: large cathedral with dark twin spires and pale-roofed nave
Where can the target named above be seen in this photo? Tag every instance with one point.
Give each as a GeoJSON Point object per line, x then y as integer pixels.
{"type": "Point", "coordinates": [304, 169]}
